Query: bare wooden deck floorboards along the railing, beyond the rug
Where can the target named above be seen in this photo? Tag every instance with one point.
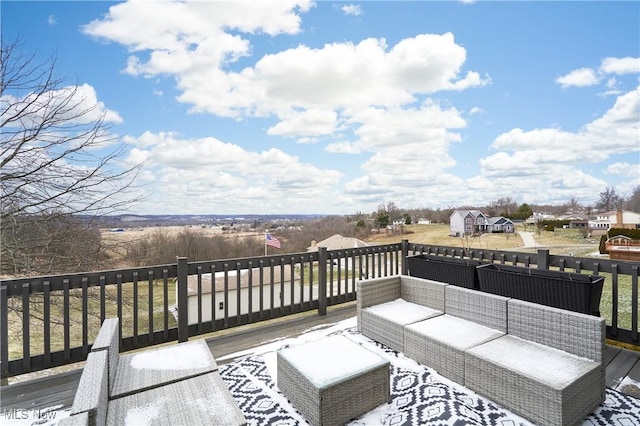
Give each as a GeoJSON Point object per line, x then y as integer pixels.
{"type": "Point", "coordinates": [57, 390]}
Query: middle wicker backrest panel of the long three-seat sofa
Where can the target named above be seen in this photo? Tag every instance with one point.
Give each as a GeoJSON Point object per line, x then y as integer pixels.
{"type": "Point", "coordinates": [485, 309]}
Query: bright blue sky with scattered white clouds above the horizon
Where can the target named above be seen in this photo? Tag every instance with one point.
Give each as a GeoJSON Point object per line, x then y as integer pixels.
{"type": "Point", "coordinates": [335, 107]}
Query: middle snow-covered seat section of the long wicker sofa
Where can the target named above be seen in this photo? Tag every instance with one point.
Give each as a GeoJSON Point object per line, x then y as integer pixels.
{"type": "Point", "coordinates": [440, 343]}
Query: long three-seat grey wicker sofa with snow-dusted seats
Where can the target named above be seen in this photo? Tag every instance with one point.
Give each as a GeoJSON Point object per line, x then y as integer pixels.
{"type": "Point", "coordinates": [543, 363]}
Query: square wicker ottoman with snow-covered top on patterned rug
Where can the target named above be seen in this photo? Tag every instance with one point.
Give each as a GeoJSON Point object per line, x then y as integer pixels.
{"type": "Point", "coordinates": [333, 380]}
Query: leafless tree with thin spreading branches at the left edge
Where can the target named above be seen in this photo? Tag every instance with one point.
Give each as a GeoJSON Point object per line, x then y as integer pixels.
{"type": "Point", "coordinates": [59, 167]}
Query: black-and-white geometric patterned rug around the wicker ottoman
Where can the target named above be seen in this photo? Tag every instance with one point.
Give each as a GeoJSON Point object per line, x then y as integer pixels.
{"type": "Point", "coordinates": [419, 396]}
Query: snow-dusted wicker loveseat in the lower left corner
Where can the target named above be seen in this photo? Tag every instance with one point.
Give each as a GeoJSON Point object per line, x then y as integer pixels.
{"type": "Point", "coordinates": [177, 384]}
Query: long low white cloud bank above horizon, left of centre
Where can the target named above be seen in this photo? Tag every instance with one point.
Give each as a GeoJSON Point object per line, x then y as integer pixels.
{"type": "Point", "coordinates": [229, 178]}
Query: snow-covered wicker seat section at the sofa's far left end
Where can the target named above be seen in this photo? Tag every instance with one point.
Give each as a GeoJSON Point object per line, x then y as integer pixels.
{"type": "Point", "coordinates": [385, 322]}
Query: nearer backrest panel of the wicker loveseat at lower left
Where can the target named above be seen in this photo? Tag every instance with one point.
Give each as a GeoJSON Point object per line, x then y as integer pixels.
{"type": "Point", "coordinates": [92, 395]}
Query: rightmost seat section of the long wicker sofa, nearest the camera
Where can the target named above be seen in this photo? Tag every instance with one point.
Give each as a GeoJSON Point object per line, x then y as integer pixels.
{"type": "Point", "coordinates": [533, 392]}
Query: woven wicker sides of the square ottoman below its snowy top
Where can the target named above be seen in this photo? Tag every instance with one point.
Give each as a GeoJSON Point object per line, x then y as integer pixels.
{"type": "Point", "coordinates": [336, 403]}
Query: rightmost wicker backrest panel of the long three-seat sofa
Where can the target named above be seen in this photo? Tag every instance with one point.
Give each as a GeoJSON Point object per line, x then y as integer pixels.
{"type": "Point", "coordinates": [579, 334]}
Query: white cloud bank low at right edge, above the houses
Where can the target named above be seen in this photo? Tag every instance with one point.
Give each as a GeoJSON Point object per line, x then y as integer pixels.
{"type": "Point", "coordinates": [556, 160]}
